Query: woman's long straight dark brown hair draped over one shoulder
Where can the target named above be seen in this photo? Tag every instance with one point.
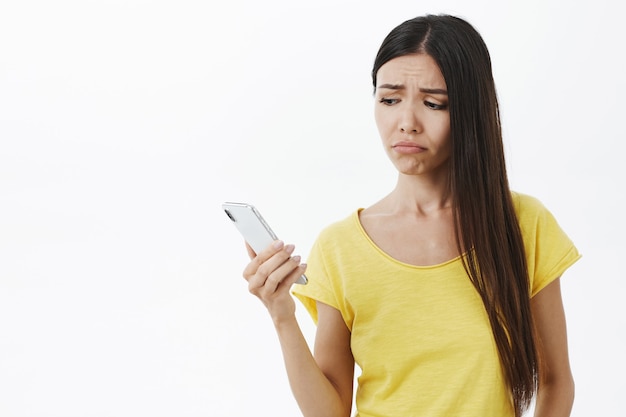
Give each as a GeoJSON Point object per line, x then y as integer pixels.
{"type": "Point", "coordinates": [485, 220]}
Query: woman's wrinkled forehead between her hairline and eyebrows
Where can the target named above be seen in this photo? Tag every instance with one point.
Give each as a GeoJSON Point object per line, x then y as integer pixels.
{"type": "Point", "coordinates": [419, 69]}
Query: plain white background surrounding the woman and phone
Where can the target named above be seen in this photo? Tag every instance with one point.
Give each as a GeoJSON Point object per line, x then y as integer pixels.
{"type": "Point", "coordinates": [124, 124]}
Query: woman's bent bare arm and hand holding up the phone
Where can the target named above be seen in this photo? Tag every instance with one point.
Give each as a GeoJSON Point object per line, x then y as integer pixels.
{"type": "Point", "coordinates": [323, 389]}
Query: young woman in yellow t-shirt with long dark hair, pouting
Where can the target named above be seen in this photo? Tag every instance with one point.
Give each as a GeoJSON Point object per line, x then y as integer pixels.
{"type": "Point", "coordinates": [446, 292]}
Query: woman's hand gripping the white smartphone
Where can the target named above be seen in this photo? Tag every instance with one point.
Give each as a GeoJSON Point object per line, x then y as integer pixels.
{"type": "Point", "coordinates": [270, 275]}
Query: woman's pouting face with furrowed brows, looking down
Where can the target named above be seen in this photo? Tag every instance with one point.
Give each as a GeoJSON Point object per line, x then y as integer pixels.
{"type": "Point", "coordinates": [412, 115]}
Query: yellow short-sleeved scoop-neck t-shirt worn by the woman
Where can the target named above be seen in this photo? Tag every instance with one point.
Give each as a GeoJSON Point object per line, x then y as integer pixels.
{"type": "Point", "coordinates": [420, 334]}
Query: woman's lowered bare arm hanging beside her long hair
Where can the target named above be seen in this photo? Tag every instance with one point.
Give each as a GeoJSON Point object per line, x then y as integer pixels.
{"type": "Point", "coordinates": [556, 384]}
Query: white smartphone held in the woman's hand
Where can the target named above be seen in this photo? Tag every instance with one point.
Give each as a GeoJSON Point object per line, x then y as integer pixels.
{"type": "Point", "coordinates": [253, 228]}
